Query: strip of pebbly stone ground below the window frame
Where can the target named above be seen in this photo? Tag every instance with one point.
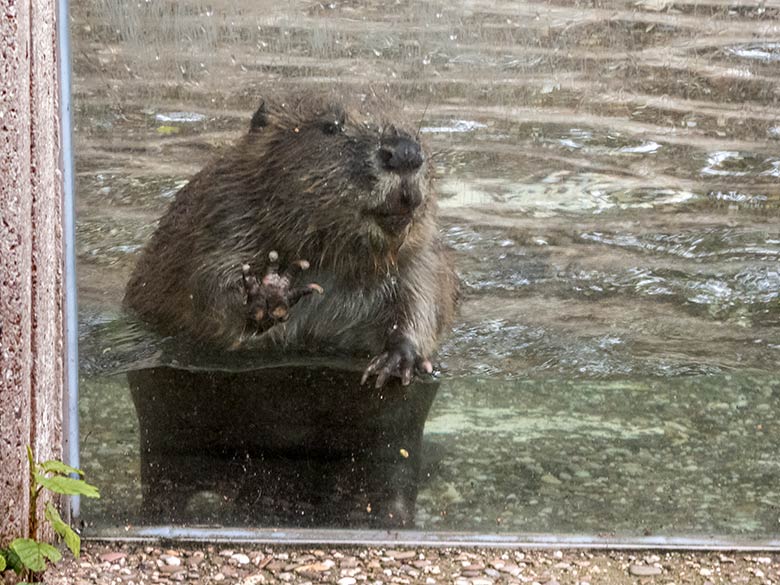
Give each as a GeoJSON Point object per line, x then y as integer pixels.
{"type": "Point", "coordinates": [134, 564]}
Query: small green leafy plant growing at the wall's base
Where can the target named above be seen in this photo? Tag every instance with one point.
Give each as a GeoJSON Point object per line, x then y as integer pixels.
{"type": "Point", "coordinates": [27, 556]}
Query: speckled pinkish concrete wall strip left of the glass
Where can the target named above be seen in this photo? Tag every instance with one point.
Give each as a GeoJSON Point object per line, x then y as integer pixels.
{"type": "Point", "coordinates": [31, 323]}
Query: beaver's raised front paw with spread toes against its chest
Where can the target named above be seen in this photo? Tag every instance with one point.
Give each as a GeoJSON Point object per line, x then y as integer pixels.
{"type": "Point", "coordinates": [269, 301]}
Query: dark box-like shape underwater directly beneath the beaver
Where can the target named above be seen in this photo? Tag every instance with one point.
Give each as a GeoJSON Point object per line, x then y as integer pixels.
{"type": "Point", "coordinates": [296, 446]}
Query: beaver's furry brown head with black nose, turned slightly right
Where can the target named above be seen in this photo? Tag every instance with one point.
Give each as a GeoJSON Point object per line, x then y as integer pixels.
{"type": "Point", "coordinates": [352, 172]}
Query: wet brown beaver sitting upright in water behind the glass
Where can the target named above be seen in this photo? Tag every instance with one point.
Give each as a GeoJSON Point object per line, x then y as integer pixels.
{"type": "Point", "coordinates": [348, 188]}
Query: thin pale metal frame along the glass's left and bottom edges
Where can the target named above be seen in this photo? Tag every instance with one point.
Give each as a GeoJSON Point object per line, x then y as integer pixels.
{"type": "Point", "coordinates": [342, 537]}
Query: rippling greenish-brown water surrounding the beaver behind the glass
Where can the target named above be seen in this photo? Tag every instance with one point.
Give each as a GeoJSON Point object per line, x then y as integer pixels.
{"type": "Point", "coordinates": [609, 180]}
